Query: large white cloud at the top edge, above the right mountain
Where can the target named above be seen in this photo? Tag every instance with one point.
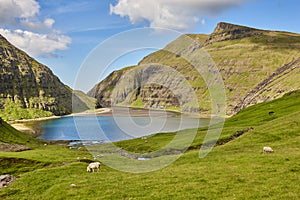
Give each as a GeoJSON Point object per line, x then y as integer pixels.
{"type": "Point", "coordinates": [174, 14]}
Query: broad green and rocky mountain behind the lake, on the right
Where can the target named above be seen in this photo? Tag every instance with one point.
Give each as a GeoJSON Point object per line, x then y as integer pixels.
{"type": "Point", "coordinates": [256, 66]}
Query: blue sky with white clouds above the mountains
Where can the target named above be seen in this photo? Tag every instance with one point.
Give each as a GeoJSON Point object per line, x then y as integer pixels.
{"type": "Point", "coordinates": [95, 37]}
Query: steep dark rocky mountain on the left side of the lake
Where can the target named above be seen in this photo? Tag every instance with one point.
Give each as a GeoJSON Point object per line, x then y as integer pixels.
{"type": "Point", "coordinates": [26, 83]}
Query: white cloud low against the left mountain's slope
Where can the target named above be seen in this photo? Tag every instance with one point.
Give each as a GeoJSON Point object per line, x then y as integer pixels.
{"type": "Point", "coordinates": [37, 44]}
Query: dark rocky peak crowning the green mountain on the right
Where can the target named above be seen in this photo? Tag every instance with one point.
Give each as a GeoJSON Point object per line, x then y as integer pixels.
{"type": "Point", "coordinates": [226, 31]}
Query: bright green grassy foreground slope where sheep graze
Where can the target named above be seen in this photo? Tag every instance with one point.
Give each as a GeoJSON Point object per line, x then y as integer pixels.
{"type": "Point", "coordinates": [237, 169]}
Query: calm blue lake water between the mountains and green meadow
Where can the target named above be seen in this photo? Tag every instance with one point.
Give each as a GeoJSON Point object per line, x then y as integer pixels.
{"type": "Point", "coordinates": [112, 128]}
